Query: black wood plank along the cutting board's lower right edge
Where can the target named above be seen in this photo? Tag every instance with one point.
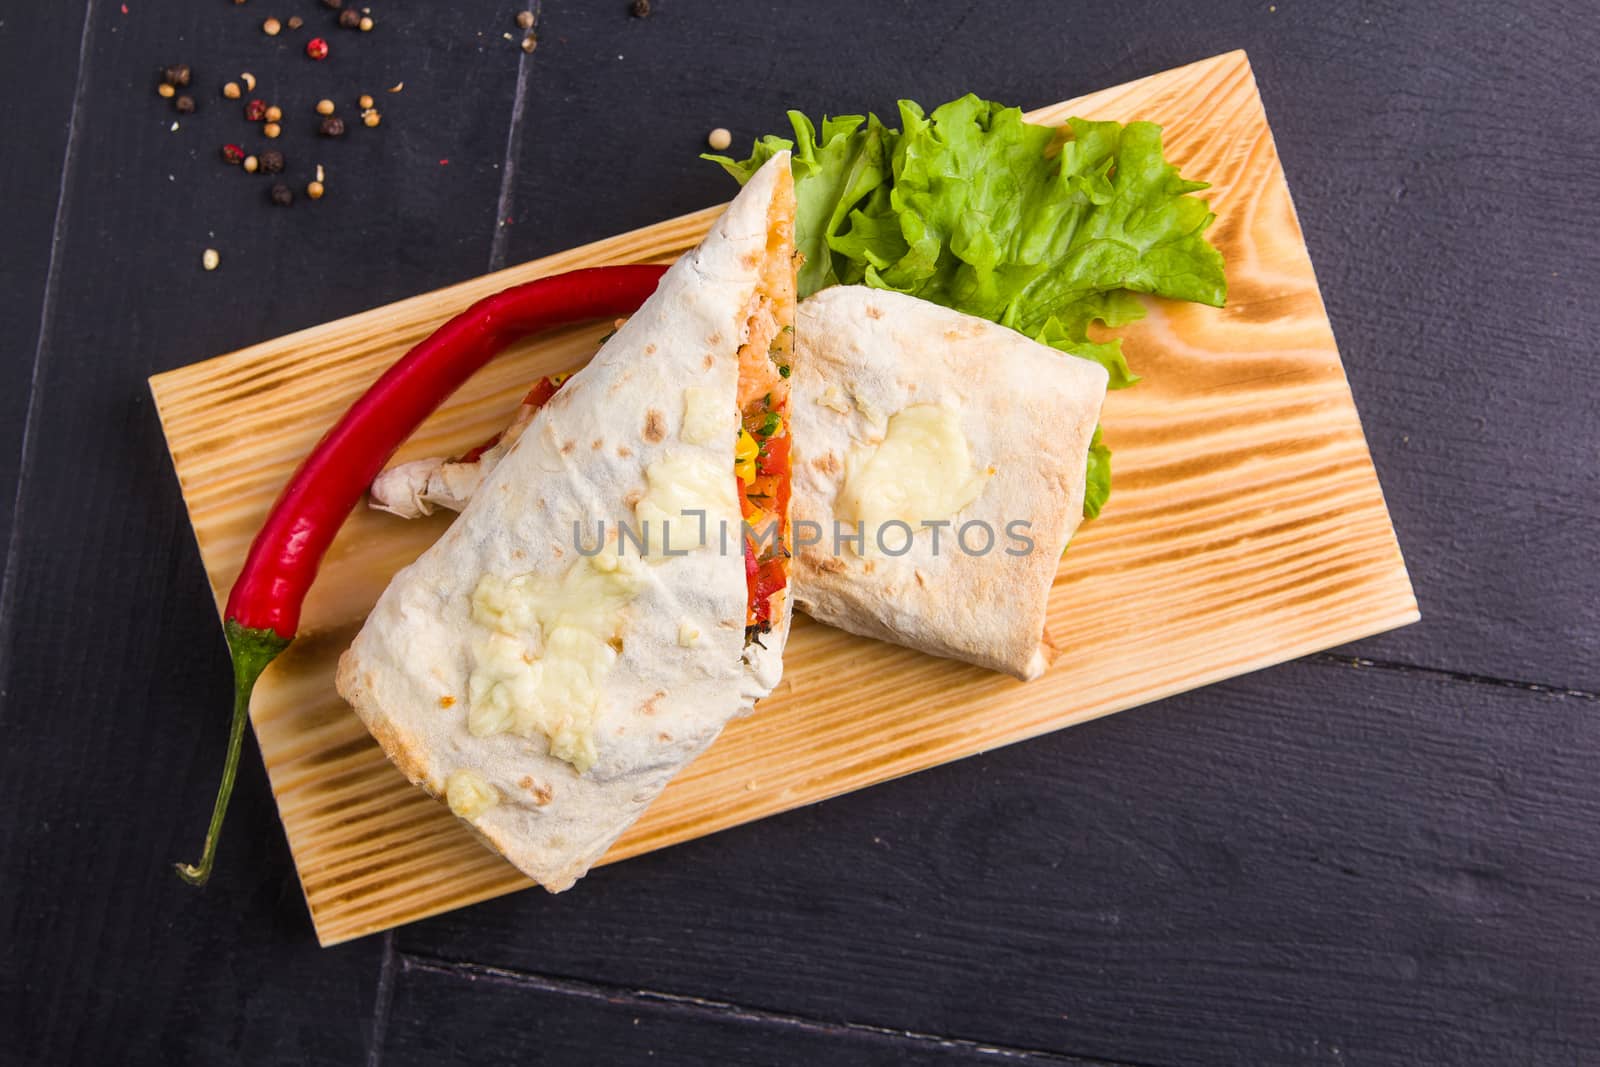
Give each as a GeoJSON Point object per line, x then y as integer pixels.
{"type": "Point", "coordinates": [1311, 865]}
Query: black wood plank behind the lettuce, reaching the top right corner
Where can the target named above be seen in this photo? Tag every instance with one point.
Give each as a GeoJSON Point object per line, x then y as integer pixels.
{"type": "Point", "coordinates": [1442, 167]}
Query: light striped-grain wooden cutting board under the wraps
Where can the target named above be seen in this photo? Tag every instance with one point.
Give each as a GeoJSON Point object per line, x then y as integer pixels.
{"type": "Point", "coordinates": [1247, 529]}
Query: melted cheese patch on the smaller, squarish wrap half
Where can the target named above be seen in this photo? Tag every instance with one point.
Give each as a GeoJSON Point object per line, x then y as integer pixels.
{"type": "Point", "coordinates": [922, 471]}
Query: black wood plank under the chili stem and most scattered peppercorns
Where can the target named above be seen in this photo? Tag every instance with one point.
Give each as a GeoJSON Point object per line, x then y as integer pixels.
{"type": "Point", "coordinates": [118, 684]}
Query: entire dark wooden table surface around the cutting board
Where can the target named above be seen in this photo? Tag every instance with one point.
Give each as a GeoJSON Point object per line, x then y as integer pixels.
{"type": "Point", "coordinates": [1385, 855]}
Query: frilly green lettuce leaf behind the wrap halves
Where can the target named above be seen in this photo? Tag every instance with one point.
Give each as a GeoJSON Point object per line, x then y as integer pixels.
{"type": "Point", "coordinates": [1046, 231]}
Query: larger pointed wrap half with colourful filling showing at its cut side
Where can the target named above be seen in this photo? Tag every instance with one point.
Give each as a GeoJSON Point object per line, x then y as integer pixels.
{"type": "Point", "coordinates": [548, 681]}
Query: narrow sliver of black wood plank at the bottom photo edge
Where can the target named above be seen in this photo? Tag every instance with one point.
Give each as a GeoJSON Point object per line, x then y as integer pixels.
{"type": "Point", "coordinates": [463, 1015]}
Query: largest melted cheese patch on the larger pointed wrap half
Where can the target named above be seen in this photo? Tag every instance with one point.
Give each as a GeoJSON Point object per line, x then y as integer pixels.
{"type": "Point", "coordinates": [550, 645]}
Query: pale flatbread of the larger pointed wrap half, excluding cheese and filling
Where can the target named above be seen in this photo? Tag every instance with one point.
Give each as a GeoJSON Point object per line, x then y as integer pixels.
{"type": "Point", "coordinates": [681, 669]}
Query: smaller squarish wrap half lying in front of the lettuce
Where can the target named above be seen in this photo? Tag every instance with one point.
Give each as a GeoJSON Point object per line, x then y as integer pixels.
{"type": "Point", "coordinates": [958, 450]}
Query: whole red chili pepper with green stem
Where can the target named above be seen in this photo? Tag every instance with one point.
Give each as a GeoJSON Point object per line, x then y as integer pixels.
{"type": "Point", "coordinates": [265, 607]}
